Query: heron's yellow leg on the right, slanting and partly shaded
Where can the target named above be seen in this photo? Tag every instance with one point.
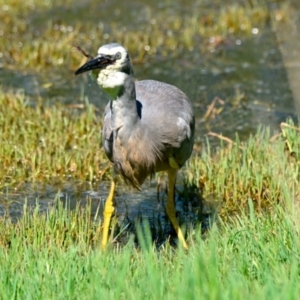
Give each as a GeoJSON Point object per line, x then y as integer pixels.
{"type": "Point", "coordinates": [171, 209]}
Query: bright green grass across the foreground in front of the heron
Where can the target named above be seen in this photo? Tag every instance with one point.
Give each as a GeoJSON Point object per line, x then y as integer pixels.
{"type": "Point", "coordinates": [53, 256]}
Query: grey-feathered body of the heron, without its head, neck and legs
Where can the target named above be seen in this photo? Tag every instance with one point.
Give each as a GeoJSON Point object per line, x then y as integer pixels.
{"type": "Point", "coordinates": [164, 127]}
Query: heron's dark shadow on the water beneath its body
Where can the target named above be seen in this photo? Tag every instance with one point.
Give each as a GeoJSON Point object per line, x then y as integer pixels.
{"type": "Point", "coordinates": [194, 214]}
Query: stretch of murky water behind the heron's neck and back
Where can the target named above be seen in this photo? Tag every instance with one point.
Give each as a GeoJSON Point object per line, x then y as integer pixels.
{"type": "Point", "coordinates": [249, 77]}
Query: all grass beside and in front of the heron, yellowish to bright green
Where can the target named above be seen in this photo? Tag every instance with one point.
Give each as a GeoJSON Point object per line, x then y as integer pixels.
{"type": "Point", "coordinates": [252, 253]}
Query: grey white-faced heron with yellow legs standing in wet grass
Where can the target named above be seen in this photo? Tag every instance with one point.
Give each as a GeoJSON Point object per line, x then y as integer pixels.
{"type": "Point", "coordinates": [148, 127]}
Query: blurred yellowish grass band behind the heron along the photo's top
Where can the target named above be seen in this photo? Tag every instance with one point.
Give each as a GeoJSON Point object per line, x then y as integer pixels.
{"type": "Point", "coordinates": [39, 34]}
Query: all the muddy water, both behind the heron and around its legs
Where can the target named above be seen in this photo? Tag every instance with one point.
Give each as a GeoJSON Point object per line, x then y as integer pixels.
{"type": "Point", "coordinates": [248, 75]}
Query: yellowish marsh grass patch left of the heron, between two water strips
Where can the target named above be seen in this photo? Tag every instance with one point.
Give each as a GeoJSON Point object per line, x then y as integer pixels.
{"type": "Point", "coordinates": [40, 143]}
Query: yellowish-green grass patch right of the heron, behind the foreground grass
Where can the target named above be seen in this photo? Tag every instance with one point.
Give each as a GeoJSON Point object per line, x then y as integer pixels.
{"type": "Point", "coordinates": [264, 169]}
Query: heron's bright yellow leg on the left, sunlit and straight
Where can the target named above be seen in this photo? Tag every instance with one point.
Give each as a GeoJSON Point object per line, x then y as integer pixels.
{"type": "Point", "coordinates": [108, 211]}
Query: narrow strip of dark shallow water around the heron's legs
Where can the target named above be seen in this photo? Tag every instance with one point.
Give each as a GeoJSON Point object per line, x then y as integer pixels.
{"type": "Point", "coordinates": [131, 206]}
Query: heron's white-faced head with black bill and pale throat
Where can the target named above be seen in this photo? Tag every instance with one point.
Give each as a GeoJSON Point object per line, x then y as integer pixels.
{"type": "Point", "coordinates": [113, 65]}
